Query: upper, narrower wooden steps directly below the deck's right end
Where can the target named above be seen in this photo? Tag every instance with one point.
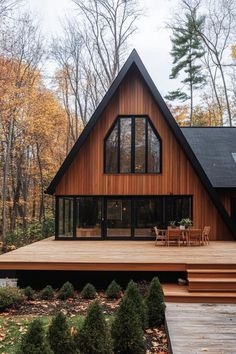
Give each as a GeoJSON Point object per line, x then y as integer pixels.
{"type": "Point", "coordinates": [212, 279]}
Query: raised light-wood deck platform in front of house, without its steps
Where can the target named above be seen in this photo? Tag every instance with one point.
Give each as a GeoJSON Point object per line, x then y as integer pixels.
{"type": "Point", "coordinates": [117, 255]}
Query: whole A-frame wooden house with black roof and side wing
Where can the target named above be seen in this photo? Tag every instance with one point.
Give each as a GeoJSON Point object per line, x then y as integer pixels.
{"type": "Point", "coordinates": [133, 168]}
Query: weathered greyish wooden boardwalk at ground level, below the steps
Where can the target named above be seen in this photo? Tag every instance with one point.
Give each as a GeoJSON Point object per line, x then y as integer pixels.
{"type": "Point", "coordinates": [199, 328]}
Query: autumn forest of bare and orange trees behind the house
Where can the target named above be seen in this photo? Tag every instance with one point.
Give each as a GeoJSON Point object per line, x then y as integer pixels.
{"type": "Point", "coordinates": [43, 111]}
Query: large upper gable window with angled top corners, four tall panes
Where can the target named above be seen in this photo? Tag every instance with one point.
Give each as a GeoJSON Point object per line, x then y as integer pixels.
{"type": "Point", "coordinates": [132, 145]}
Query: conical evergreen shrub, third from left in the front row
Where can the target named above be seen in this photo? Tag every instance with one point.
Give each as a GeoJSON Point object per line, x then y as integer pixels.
{"type": "Point", "coordinates": [94, 336]}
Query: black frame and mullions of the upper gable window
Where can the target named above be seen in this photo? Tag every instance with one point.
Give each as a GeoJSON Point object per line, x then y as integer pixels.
{"type": "Point", "coordinates": [133, 171]}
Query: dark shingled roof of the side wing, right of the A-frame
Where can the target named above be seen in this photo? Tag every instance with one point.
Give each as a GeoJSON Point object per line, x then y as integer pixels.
{"type": "Point", "coordinates": [213, 147]}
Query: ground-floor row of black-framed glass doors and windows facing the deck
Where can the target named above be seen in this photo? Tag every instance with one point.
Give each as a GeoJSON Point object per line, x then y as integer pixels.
{"type": "Point", "coordinates": [128, 217]}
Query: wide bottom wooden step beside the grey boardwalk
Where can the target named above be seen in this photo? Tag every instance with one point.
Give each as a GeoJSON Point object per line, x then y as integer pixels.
{"type": "Point", "coordinates": [177, 293]}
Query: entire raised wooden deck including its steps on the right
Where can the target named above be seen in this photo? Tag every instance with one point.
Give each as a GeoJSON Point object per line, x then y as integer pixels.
{"type": "Point", "coordinates": [210, 270]}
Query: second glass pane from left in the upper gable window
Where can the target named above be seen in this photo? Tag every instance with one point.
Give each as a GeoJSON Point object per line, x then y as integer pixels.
{"type": "Point", "coordinates": [125, 145]}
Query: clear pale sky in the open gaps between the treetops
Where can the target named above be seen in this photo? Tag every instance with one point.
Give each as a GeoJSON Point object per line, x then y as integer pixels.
{"type": "Point", "coordinates": [152, 40]}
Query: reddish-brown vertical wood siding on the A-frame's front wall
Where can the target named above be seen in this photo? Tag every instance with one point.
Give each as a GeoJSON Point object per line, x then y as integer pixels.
{"type": "Point", "coordinates": [85, 176]}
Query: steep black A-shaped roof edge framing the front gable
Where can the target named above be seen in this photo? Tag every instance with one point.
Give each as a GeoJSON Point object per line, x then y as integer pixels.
{"type": "Point", "coordinates": [135, 61]}
